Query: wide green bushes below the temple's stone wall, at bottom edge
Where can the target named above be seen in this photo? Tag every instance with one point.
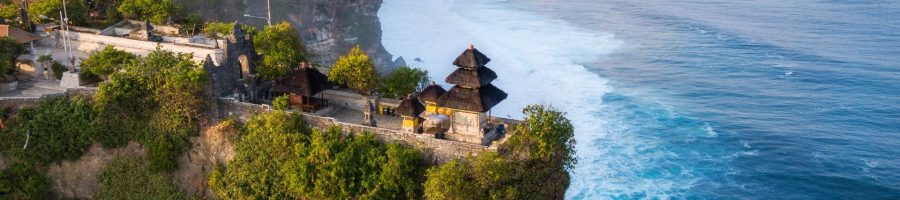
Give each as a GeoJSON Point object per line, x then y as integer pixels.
{"type": "Point", "coordinates": [279, 157]}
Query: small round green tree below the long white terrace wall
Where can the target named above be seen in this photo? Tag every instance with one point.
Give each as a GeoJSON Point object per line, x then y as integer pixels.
{"type": "Point", "coordinates": [104, 62]}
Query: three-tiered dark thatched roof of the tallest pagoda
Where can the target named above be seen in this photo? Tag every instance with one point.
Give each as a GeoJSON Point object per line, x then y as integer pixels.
{"type": "Point", "coordinates": [473, 90]}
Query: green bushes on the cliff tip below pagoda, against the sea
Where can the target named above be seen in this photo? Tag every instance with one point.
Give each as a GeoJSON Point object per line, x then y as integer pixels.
{"type": "Point", "coordinates": [532, 164]}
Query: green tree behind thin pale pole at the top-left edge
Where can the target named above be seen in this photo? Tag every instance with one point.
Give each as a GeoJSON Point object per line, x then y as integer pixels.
{"type": "Point", "coordinates": [75, 9]}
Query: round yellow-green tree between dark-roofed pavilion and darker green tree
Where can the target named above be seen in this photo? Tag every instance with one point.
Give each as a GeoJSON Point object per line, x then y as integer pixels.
{"type": "Point", "coordinates": [355, 70]}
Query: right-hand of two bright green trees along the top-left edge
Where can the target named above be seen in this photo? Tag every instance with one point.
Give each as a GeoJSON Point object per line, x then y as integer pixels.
{"type": "Point", "coordinates": [156, 11]}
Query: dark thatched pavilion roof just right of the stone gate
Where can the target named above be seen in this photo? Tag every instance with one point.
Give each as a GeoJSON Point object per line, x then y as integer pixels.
{"type": "Point", "coordinates": [306, 81]}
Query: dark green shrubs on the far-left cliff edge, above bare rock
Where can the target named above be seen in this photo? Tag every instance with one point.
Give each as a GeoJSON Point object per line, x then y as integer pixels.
{"type": "Point", "coordinates": [57, 129]}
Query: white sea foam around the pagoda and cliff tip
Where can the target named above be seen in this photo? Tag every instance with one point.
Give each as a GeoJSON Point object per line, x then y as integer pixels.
{"type": "Point", "coordinates": [537, 60]}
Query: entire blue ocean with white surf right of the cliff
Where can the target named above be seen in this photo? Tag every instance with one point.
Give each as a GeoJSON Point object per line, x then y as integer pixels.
{"type": "Point", "coordinates": [689, 99]}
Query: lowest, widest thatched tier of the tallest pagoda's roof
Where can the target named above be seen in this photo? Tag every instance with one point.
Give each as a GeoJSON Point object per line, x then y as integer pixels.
{"type": "Point", "coordinates": [473, 99]}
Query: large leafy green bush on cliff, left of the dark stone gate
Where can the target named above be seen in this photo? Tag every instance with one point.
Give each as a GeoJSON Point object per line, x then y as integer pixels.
{"type": "Point", "coordinates": [158, 100]}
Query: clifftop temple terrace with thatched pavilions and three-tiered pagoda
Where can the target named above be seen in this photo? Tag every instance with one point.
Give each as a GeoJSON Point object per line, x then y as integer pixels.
{"type": "Point", "coordinates": [462, 113]}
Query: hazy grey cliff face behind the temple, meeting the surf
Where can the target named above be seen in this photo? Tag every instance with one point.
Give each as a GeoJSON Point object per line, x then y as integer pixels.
{"type": "Point", "coordinates": [329, 28]}
